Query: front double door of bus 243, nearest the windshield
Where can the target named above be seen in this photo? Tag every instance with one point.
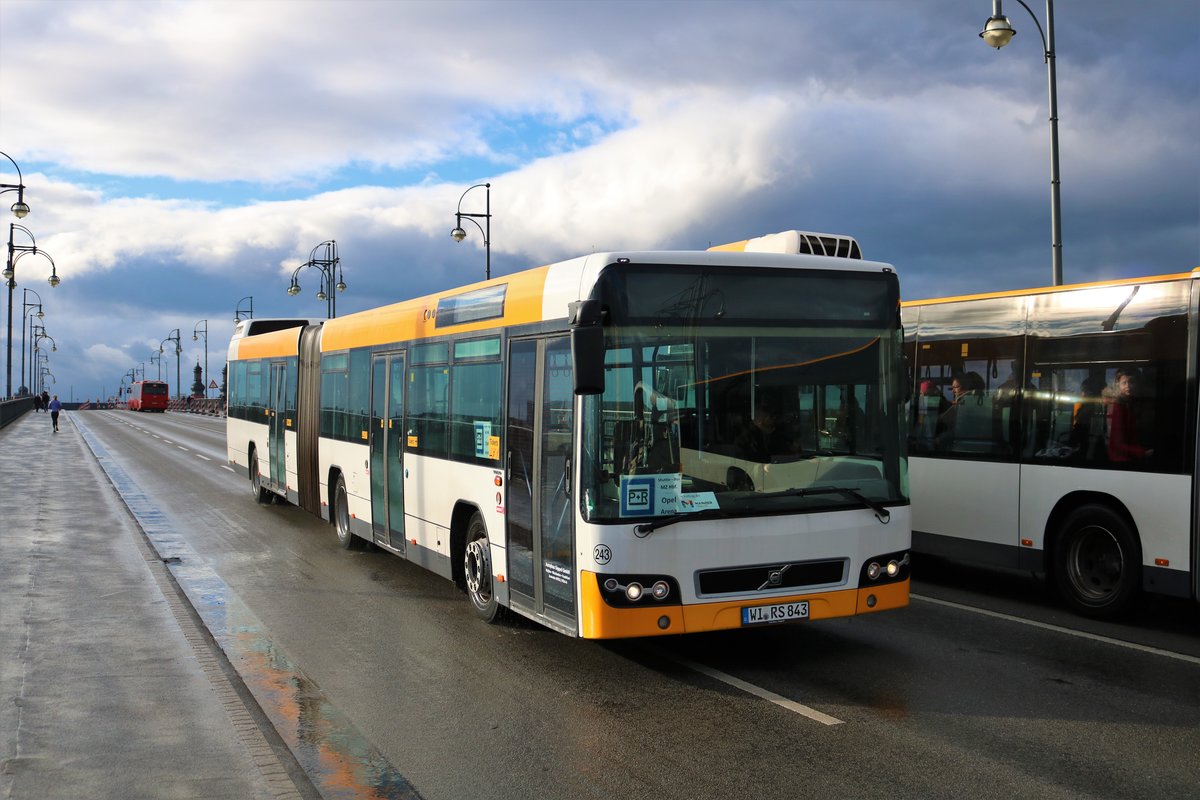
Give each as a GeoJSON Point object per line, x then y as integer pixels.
{"type": "Point", "coordinates": [539, 435]}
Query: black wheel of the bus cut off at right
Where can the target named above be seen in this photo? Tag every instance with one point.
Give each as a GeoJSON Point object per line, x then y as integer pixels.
{"type": "Point", "coordinates": [1097, 562]}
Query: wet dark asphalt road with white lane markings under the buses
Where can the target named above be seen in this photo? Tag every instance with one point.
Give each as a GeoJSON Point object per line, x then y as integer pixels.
{"type": "Point", "coordinates": [982, 688]}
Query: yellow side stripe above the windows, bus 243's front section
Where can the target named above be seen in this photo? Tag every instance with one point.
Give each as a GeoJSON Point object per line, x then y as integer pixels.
{"type": "Point", "coordinates": [416, 320]}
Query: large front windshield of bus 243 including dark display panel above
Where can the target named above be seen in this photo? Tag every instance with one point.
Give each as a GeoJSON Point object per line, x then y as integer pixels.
{"type": "Point", "coordinates": [741, 393]}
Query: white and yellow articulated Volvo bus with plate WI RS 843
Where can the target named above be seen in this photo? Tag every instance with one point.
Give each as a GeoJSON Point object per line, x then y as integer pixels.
{"type": "Point", "coordinates": [620, 446]}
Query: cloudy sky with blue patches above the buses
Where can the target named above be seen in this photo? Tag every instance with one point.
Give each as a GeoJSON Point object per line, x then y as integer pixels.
{"type": "Point", "coordinates": [181, 157]}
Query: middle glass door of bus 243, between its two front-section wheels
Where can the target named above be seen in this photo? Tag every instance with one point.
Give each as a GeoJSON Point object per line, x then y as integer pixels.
{"type": "Point", "coordinates": [387, 456]}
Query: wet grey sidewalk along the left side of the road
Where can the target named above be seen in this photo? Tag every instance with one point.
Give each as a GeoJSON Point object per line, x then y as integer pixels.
{"type": "Point", "coordinates": [107, 687]}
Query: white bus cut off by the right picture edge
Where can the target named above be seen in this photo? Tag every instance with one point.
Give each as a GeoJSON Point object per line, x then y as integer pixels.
{"type": "Point", "coordinates": [1071, 450]}
